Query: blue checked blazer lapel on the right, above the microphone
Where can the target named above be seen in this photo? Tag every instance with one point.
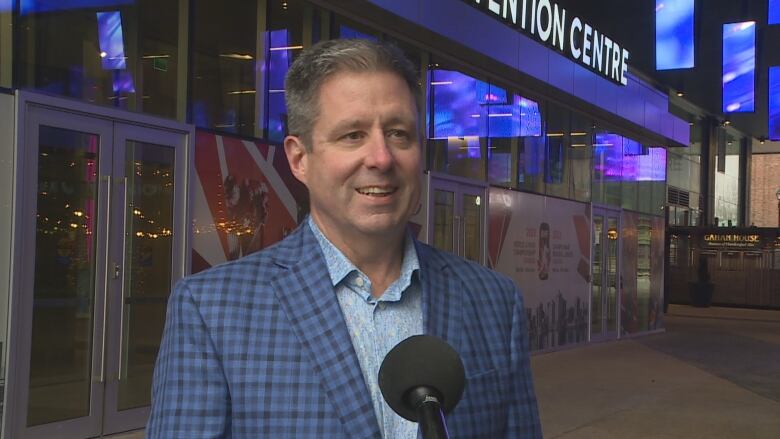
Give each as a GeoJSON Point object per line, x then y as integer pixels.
{"type": "Point", "coordinates": [442, 297]}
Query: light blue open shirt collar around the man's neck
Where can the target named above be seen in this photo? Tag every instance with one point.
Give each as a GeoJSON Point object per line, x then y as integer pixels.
{"type": "Point", "coordinates": [339, 266]}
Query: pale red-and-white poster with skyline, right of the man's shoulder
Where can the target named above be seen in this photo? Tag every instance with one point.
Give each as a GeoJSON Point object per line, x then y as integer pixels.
{"type": "Point", "coordinates": [543, 244]}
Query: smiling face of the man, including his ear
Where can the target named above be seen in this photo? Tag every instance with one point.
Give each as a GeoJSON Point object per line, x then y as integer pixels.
{"type": "Point", "coordinates": [363, 168]}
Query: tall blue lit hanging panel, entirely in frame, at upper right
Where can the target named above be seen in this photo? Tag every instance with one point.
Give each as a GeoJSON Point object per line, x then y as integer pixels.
{"type": "Point", "coordinates": [739, 67]}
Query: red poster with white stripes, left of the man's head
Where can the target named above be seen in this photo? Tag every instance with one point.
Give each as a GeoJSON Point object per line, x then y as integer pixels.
{"type": "Point", "coordinates": [244, 198]}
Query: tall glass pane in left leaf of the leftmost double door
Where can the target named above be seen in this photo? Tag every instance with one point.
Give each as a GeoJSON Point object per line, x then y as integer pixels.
{"type": "Point", "coordinates": [63, 292]}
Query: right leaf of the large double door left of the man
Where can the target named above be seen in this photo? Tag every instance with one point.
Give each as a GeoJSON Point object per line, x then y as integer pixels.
{"type": "Point", "coordinates": [144, 265]}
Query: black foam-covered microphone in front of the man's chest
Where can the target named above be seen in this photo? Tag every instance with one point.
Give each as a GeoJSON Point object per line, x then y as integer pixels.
{"type": "Point", "coordinates": [422, 379]}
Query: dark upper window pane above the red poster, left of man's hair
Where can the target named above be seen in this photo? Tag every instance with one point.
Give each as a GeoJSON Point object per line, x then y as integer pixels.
{"type": "Point", "coordinates": [223, 69]}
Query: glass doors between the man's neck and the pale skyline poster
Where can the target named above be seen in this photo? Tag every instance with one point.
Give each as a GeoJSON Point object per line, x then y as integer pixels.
{"type": "Point", "coordinates": [457, 216]}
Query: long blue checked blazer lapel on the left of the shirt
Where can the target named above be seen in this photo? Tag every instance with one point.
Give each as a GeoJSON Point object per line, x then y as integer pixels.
{"type": "Point", "coordinates": [306, 295]}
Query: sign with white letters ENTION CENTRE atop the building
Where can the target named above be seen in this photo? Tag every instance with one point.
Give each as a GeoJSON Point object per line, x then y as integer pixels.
{"type": "Point", "coordinates": [572, 36]}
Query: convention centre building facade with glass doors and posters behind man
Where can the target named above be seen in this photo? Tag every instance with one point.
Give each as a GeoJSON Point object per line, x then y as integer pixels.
{"type": "Point", "coordinates": [142, 142]}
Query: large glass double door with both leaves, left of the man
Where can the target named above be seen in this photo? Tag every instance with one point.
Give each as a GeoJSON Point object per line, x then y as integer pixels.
{"type": "Point", "coordinates": [103, 227]}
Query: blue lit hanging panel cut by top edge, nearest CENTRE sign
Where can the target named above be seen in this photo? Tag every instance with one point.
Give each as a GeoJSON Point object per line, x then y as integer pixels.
{"type": "Point", "coordinates": [674, 44]}
